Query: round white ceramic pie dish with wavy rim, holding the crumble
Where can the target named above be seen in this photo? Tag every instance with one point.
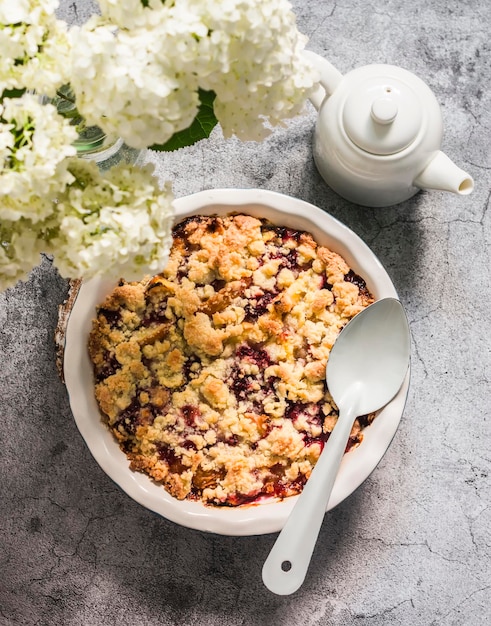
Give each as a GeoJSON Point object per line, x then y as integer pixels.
{"type": "Point", "coordinates": [268, 516]}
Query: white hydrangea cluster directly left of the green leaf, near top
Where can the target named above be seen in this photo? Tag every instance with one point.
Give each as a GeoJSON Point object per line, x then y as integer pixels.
{"type": "Point", "coordinates": [125, 85]}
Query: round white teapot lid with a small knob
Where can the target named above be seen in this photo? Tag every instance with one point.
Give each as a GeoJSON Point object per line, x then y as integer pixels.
{"type": "Point", "coordinates": [382, 115]}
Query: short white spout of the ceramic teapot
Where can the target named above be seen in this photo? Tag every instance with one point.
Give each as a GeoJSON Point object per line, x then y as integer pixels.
{"type": "Point", "coordinates": [441, 174]}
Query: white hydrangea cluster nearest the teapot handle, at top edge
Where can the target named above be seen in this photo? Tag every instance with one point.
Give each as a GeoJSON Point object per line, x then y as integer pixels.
{"type": "Point", "coordinates": [263, 76]}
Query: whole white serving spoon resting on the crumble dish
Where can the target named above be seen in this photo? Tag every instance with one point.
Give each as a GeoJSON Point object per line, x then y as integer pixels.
{"type": "Point", "coordinates": [366, 368]}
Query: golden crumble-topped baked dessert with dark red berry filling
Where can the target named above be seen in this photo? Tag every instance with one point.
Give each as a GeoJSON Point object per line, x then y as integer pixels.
{"type": "Point", "coordinates": [211, 375]}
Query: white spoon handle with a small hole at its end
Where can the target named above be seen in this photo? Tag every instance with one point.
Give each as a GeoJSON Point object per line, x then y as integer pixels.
{"type": "Point", "coordinates": [286, 566]}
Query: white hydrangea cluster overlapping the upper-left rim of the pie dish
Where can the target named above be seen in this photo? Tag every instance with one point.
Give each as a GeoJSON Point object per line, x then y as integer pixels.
{"type": "Point", "coordinates": [117, 224]}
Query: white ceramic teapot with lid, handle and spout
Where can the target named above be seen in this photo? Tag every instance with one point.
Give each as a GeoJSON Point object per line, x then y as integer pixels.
{"type": "Point", "coordinates": [378, 135]}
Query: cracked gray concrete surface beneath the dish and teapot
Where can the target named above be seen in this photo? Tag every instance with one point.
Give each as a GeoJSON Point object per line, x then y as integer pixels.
{"type": "Point", "coordinates": [411, 546]}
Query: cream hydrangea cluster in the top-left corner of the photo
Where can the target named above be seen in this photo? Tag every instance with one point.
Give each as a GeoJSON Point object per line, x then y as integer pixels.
{"type": "Point", "coordinates": [35, 46]}
